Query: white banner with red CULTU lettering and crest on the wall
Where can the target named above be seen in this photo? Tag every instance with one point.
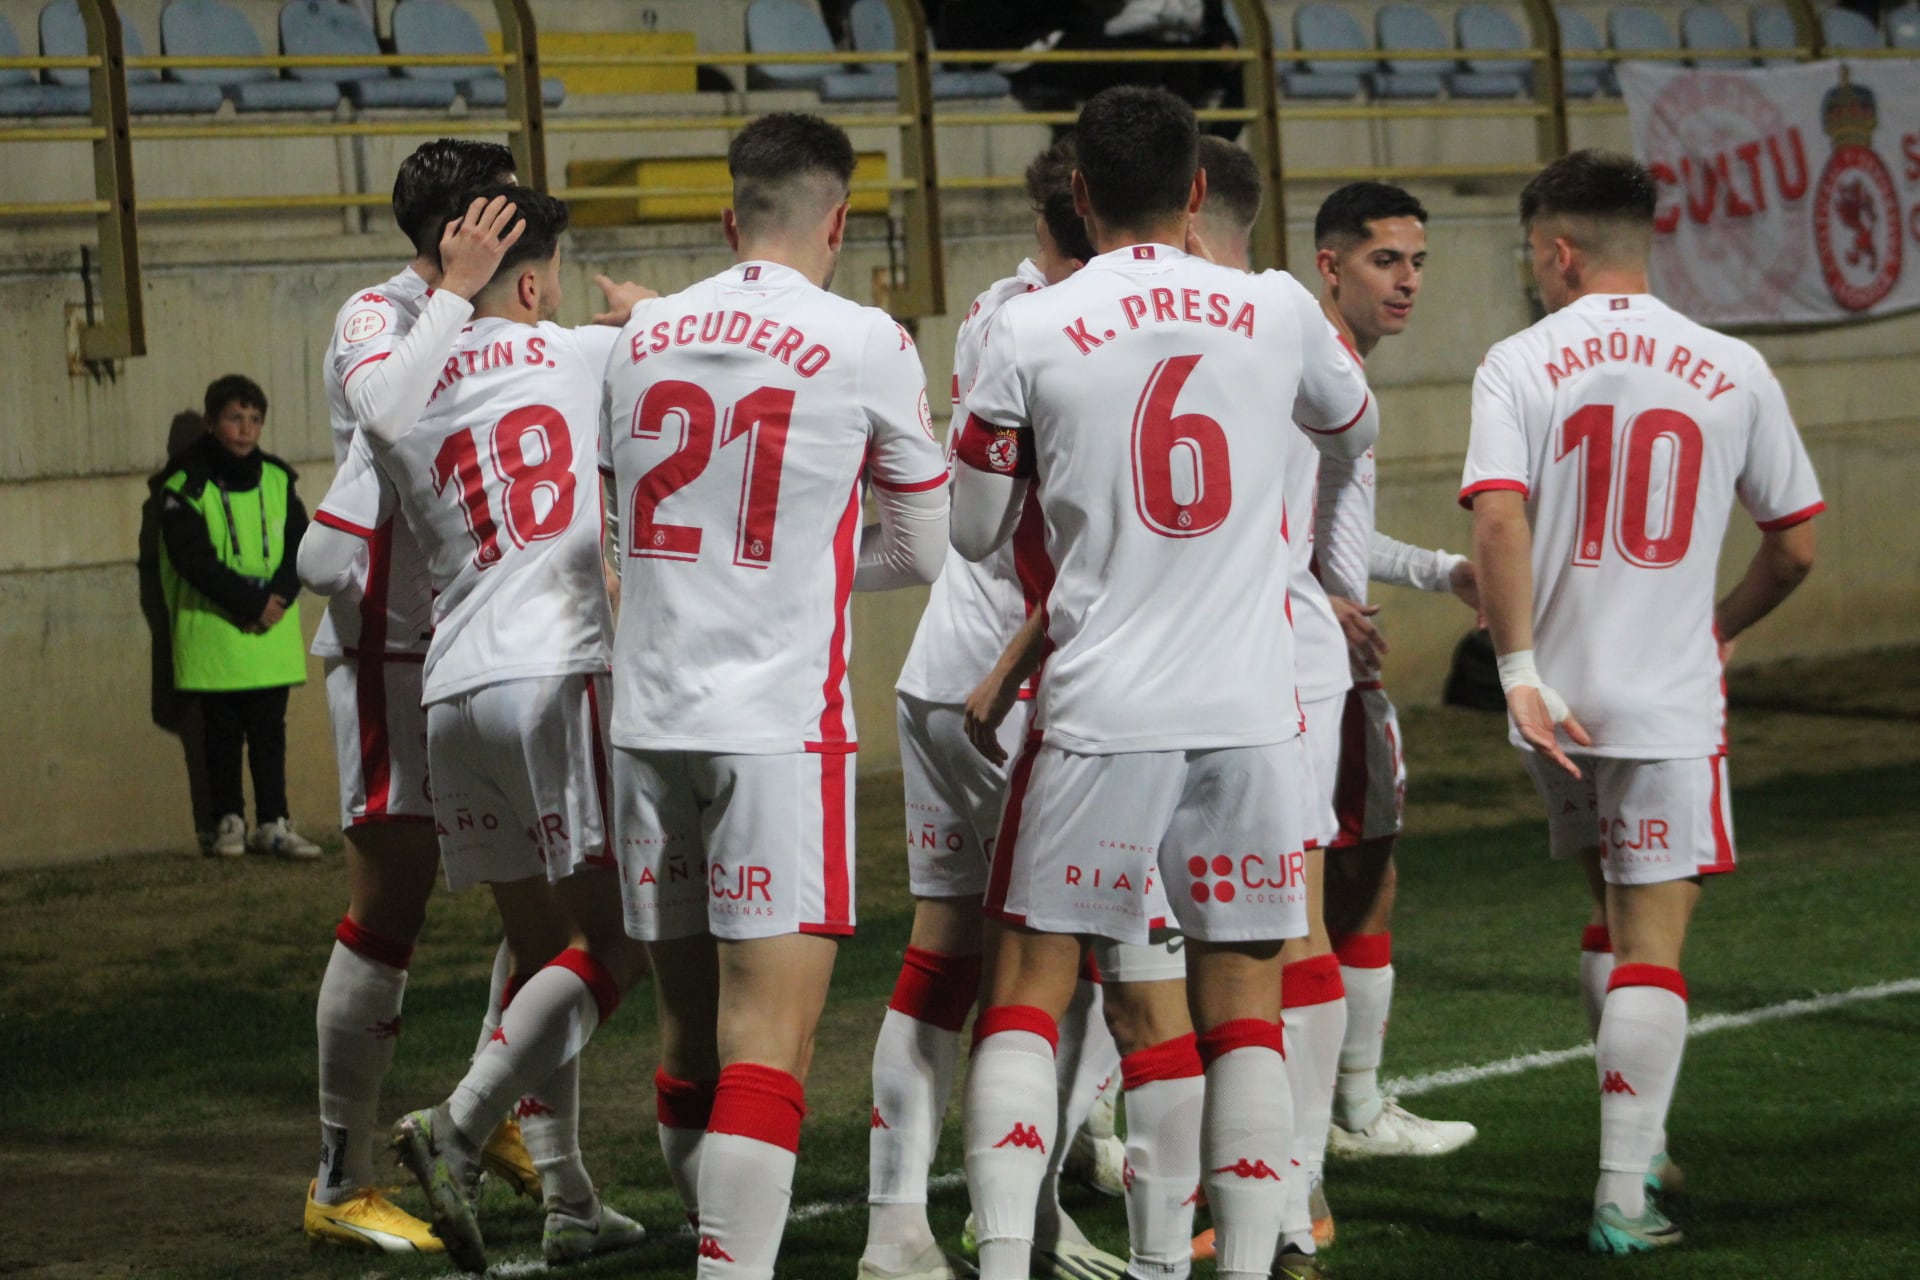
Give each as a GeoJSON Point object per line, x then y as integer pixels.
{"type": "Point", "coordinates": [1788, 195]}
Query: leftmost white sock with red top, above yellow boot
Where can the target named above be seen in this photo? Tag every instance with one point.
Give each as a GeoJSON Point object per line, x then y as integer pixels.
{"type": "Point", "coordinates": [358, 1026]}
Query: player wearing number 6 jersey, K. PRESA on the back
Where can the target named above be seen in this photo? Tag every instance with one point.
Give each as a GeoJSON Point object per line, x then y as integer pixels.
{"type": "Point", "coordinates": [1168, 719]}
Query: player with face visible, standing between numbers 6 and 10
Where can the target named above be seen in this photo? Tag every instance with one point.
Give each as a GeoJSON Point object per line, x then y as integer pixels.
{"type": "Point", "coordinates": [1370, 249]}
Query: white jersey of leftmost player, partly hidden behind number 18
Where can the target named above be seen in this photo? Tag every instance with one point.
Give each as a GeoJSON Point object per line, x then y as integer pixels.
{"type": "Point", "coordinates": [389, 609]}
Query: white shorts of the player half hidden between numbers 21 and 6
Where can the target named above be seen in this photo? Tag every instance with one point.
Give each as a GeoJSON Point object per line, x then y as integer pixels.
{"type": "Point", "coordinates": [953, 795]}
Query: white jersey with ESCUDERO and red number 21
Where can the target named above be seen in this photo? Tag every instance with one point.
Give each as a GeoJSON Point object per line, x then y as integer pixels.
{"type": "Point", "coordinates": [742, 417]}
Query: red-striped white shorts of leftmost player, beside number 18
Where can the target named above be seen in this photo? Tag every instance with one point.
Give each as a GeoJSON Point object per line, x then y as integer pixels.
{"type": "Point", "coordinates": [379, 740]}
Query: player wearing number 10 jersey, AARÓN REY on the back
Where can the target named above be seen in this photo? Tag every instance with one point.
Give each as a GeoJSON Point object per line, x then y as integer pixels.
{"type": "Point", "coordinates": [1610, 444]}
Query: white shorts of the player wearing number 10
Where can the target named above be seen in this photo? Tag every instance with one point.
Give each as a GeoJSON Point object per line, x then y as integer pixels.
{"type": "Point", "coordinates": [1652, 820]}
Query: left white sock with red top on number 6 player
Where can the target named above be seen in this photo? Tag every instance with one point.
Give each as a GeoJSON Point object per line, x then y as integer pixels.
{"type": "Point", "coordinates": [1009, 1114]}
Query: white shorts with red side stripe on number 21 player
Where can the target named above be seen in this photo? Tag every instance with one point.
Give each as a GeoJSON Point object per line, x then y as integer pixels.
{"type": "Point", "coordinates": [742, 847]}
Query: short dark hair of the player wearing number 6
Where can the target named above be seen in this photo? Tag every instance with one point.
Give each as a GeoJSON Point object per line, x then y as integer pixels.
{"type": "Point", "coordinates": [1138, 151]}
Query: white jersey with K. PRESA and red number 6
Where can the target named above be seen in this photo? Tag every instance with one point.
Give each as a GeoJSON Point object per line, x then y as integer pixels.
{"type": "Point", "coordinates": [1141, 396]}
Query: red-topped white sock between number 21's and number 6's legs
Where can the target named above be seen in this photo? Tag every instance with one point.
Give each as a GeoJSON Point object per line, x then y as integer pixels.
{"type": "Point", "coordinates": [915, 1064]}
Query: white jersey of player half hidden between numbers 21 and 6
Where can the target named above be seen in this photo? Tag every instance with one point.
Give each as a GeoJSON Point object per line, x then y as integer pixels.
{"type": "Point", "coordinates": [974, 609]}
